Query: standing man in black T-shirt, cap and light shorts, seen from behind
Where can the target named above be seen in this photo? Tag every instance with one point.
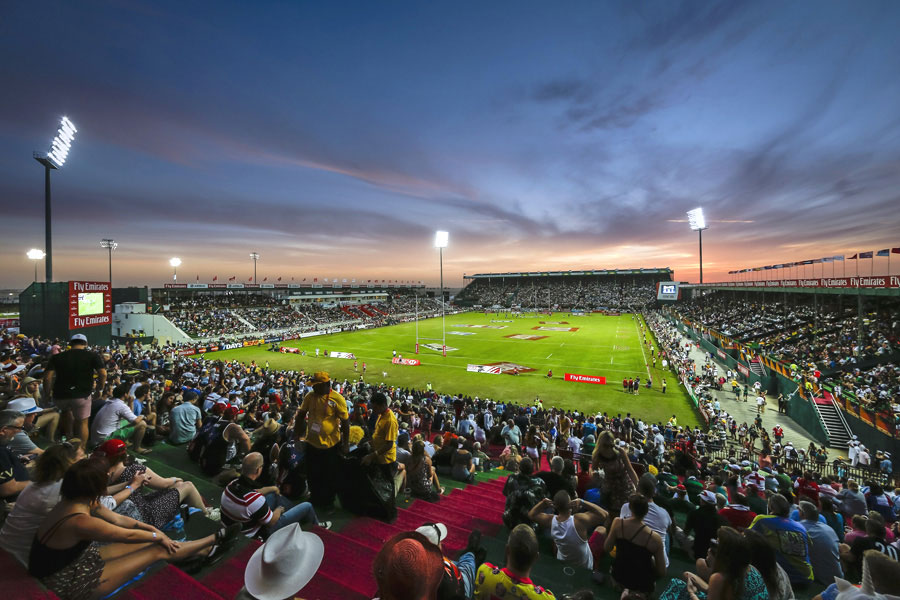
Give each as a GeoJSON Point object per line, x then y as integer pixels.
{"type": "Point", "coordinates": [69, 380]}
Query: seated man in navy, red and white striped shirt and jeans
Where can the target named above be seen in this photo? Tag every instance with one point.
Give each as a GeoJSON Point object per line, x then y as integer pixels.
{"type": "Point", "coordinates": [254, 508]}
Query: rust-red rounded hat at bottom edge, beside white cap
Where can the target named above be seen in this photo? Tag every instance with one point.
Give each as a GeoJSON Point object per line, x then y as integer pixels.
{"type": "Point", "coordinates": [408, 567]}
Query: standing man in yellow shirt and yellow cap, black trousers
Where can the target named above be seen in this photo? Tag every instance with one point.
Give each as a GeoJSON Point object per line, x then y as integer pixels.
{"type": "Point", "coordinates": [328, 434]}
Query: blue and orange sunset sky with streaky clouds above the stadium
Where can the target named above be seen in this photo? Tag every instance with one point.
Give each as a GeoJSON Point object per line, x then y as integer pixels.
{"type": "Point", "coordinates": [334, 137]}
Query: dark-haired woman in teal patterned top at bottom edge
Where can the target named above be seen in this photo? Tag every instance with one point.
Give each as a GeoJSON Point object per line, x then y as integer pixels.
{"type": "Point", "coordinates": [733, 576]}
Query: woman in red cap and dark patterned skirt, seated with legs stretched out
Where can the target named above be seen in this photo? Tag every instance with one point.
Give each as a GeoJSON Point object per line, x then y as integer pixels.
{"type": "Point", "coordinates": [156, 508]}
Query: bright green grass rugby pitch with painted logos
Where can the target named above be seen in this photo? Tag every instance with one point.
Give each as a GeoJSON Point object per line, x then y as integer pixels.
{"type": "Point", "coordinates": [602, 345]}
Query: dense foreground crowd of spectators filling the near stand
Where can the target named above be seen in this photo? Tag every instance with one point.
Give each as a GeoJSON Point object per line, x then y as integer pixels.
{"type": "Point", "coordinates": [284, 445]}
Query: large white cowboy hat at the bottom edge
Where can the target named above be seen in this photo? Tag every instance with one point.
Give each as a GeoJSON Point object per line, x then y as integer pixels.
{"type": "Point", "coordinates": [284, 564]}
